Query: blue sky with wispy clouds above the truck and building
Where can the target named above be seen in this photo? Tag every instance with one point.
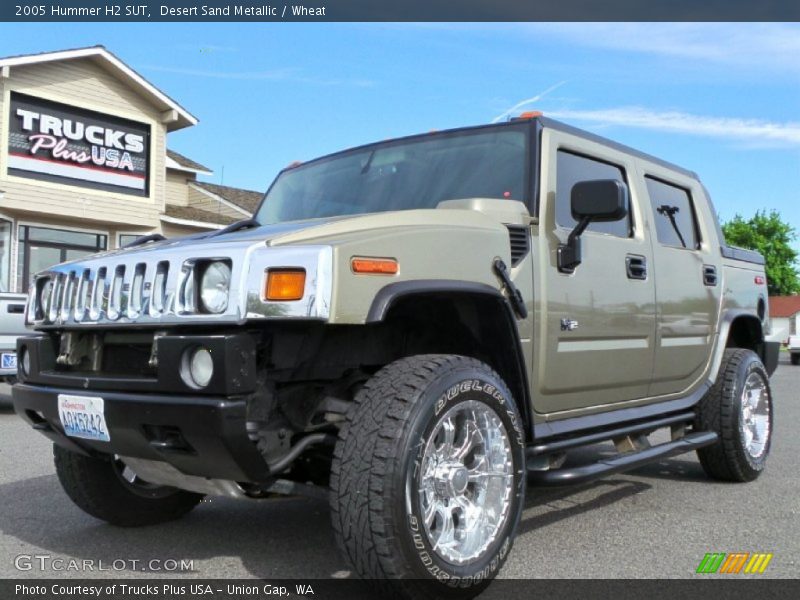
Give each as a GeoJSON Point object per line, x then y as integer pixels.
{"type": "Point", "coordinates": [720, 99]}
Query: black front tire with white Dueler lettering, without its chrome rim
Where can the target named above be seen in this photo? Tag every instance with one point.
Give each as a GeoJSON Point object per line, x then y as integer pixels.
{"type": "Point", "coordinates": [378, 446]}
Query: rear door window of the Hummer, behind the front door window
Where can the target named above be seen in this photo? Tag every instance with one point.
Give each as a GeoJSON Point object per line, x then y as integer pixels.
{"type": "Point", "coordinates": [674, 214]}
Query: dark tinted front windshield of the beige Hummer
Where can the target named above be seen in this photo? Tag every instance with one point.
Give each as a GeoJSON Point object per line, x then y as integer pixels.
{"type": "Point", "coordinates": [402, 175]}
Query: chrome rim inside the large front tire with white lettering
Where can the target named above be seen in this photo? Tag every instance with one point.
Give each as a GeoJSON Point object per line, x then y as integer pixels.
{"type": "Point", "coordinates": [465, 482]}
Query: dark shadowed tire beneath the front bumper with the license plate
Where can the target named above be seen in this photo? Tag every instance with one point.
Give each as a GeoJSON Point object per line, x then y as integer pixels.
{"type": "Point", "coordinates": [97, 488]}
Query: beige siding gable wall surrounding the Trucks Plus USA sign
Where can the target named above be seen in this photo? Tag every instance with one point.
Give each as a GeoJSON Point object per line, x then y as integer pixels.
{"type": "Point", "coordinates": [83, 84]}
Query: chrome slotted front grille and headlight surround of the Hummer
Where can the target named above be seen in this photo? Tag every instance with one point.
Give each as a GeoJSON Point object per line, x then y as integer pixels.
{"type": "Point", "coordinates": [160, 286]}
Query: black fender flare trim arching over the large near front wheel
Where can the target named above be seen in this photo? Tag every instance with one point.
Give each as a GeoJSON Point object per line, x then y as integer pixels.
{"type": "Point", "coordinates": [392, 292]}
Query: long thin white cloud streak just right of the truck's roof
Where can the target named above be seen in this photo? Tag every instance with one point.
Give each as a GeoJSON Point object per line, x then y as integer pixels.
{"type": "Point", "coordinates": [754, 132]}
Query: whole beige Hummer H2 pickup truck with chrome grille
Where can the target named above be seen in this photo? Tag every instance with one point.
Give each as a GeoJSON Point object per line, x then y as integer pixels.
{"type": "Point", "coordinates": [415, 329]}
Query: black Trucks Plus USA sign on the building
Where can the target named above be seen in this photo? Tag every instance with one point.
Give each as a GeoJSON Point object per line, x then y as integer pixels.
{"type": "Point", "coordinates": [61, 143]}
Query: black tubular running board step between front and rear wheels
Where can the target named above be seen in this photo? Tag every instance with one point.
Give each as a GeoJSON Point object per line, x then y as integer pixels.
{"type": "Point", "coordinates": [623, 462]}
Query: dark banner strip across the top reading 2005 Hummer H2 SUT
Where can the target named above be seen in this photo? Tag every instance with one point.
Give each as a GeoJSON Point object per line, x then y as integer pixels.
{"type": "Point", "coordinates": [398, 10]}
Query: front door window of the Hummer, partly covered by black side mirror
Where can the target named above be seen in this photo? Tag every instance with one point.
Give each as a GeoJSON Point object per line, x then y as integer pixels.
{"type": "Point", "coordinates": [572, 168]}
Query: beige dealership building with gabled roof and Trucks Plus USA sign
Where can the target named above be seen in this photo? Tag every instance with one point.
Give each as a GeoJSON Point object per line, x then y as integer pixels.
{"type": "Point", "coordinates": [84, 163]}
